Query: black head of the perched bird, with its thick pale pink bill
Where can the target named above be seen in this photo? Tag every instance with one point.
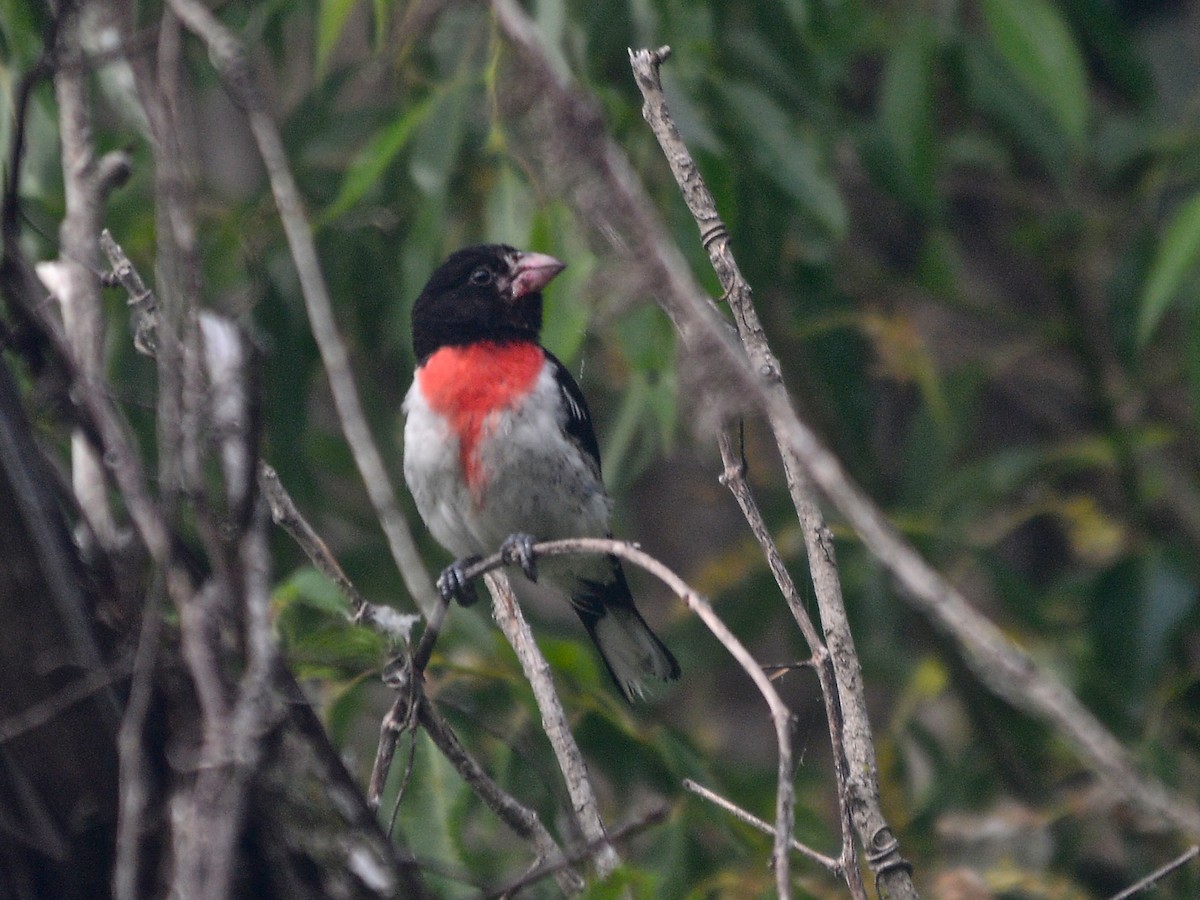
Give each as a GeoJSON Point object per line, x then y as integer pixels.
{"type": "Point", "coordinates": [485, 293]}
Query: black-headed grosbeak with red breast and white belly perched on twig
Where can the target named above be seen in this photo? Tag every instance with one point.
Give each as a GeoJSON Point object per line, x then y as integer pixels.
{"type": "Point", "coordinates": [499, 448]}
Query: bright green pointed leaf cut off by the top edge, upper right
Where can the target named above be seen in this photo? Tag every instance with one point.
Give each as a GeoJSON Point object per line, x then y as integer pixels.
{"type": "Point", "coordinates": [1036, 43]}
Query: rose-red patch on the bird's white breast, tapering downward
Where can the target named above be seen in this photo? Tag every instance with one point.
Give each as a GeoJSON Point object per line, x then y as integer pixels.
{"type": "Point", "coordinates": [467, 385]}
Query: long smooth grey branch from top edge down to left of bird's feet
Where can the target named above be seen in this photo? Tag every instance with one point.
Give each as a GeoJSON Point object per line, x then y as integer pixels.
{"type": "Point", "coordinates": [230, 57]}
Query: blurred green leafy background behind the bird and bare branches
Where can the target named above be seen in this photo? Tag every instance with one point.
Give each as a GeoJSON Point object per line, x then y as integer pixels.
{"type": "Point", "coordinates": [973, 230]}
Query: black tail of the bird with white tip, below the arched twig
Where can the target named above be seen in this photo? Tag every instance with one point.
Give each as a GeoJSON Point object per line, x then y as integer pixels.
{"type": "Point", "coordinates": [631, 651]}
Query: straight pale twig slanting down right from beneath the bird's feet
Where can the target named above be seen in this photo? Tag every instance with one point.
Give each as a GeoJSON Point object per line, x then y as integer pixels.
{"type": "Point", "coordinates": [517, 631]}
